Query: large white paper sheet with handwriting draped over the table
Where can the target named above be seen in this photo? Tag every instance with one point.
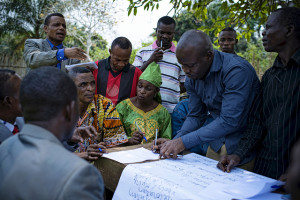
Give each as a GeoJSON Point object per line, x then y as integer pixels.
{"type": "Point", "coordinates": [185, 178]}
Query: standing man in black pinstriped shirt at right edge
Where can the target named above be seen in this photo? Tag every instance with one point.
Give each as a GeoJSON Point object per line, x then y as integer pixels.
{"type": "Point", "coordinates": [274, 124]}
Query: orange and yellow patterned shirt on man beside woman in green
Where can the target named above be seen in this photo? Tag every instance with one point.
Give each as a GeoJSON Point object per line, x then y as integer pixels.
{"type": "Point", "coordinates": [102, 114]}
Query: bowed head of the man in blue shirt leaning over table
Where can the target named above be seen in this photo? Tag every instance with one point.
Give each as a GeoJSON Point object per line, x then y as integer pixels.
{"type": "Point", "coordinates": [195, 53]}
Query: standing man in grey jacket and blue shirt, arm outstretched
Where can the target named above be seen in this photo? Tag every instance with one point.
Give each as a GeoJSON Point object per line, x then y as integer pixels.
{"type": "Point", "coordinates": [50, 51]}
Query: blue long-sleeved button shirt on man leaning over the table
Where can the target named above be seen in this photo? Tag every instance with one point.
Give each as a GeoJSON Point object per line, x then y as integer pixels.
{"type": "Point", "coordinates": [227, 93]}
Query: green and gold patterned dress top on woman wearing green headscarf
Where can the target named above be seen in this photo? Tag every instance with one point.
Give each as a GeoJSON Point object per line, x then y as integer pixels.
{"type": "Point", "coordinates": [158, 118]}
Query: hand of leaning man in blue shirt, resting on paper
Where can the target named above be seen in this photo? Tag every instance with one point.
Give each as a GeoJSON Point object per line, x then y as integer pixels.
{"type": "Point", "coordinates": [171, 148]}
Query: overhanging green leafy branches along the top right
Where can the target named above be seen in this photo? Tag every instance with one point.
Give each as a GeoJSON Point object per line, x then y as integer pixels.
{"type": "Point", "coordinates": [229, 12]}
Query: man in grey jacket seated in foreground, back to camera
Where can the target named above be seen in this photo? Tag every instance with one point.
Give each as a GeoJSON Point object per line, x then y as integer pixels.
{"type": "Point", "coordinates": [34, 163]}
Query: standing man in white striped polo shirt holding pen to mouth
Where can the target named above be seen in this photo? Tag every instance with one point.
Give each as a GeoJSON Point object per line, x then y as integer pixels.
{"type": "Point", "coordinates": [162, 51]}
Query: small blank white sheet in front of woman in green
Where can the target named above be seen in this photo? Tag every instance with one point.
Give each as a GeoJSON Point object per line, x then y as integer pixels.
{"type": "Point", "coordinates": [132, 156]}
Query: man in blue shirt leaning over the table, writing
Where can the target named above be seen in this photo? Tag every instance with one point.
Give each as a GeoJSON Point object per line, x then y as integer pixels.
{"type": "Point", "coordinates": [221, 86]}
